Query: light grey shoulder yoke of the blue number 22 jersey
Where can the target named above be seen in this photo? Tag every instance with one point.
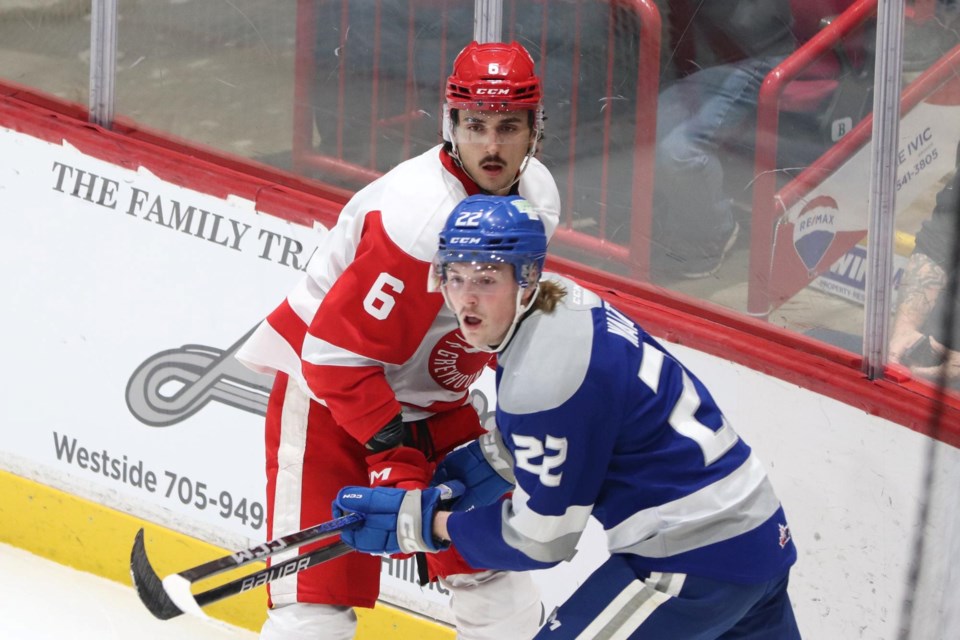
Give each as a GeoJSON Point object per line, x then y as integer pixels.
{"type": "Point", "coordinates": [538, 374]}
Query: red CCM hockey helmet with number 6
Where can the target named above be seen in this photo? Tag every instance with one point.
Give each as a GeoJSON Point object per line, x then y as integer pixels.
{"type": "Point", "coordinates": [494, 76]}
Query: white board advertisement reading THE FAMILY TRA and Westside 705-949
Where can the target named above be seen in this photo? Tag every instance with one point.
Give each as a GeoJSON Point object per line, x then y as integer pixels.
{"type": "Point", "coordinates": [128, 297]}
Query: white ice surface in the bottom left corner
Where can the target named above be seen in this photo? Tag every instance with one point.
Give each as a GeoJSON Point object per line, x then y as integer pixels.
{"type": "Point", "coordinates": [44, 600]}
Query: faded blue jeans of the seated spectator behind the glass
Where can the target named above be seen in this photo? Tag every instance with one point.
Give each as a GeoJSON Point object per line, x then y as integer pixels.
{"type": "Point", "coordinates": [693, 219]}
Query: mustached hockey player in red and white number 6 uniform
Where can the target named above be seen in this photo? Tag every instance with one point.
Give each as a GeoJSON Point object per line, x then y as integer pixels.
{"type": "Point", "coordinates": [372, 373]}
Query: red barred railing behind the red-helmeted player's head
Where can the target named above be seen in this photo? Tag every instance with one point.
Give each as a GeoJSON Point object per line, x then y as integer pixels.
{"type": "Point", "coordinates": [331, 160]}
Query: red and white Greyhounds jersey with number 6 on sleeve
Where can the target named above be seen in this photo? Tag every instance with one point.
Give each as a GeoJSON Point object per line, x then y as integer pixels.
{"type": "Point", "coordinates": [360, 332]}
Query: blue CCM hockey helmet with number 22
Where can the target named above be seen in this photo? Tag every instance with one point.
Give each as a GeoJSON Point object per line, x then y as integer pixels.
{"type": "Point", "coordinates": [489, 228]}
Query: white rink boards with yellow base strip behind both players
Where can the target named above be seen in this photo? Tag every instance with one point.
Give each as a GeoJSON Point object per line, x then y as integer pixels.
{"type": "Point", "coordinates": [135, 273]}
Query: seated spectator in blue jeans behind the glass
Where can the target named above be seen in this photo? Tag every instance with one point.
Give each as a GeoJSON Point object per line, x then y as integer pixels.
{"type": "Point", "coordinates": [693, 219]}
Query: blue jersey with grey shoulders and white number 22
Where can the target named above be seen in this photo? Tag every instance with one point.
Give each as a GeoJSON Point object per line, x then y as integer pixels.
{"type": "Point", "coordinates": [602, 420]}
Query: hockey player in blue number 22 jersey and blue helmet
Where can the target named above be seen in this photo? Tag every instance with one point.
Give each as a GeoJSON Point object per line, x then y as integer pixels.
{"type": "Point", "coordinates": [594, 417]}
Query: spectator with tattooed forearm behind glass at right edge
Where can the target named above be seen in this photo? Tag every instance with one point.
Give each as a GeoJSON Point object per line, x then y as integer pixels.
{"type": "Point", "coordinates": [926, 328]}
